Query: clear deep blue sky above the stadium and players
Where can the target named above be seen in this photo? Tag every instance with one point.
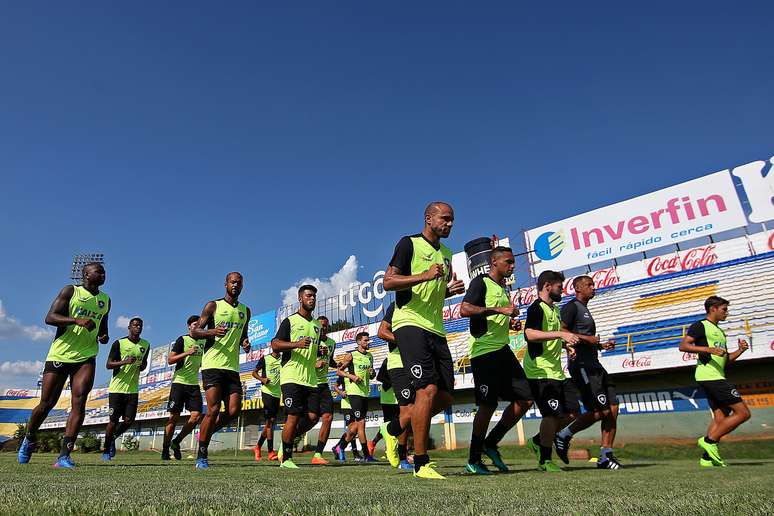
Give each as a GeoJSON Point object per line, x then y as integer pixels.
{"type": "Point", "coordinates": [186, 140]}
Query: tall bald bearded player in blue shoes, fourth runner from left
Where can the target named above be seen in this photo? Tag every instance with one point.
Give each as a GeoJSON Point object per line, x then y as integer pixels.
{"type": "Point", "coordinates": [223, 323]}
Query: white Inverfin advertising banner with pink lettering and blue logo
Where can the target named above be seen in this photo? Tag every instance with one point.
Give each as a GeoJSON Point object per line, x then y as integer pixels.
{"type": "Point", "coordinates": [682, 212]}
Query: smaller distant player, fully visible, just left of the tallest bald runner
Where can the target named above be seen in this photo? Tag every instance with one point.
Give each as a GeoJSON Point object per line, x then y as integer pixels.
{"type": "Point", "coordinates": [357, 378]}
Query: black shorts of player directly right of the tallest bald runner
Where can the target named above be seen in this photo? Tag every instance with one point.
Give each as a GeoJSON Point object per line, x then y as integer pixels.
{"type": "Point", "coordinates": [499, 376]}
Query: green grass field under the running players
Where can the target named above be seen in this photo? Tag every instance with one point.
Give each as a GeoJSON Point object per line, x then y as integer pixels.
{"type": "Point", "coordinates": [138, 483]}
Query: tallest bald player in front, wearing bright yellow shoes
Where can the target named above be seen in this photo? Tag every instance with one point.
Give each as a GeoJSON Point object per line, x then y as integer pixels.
{"type": "Point", "coordinates": [421, 276]}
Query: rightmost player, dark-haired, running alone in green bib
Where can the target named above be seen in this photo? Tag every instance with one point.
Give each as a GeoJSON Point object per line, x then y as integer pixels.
{"type": "Point", "coordinates": [708, 341]}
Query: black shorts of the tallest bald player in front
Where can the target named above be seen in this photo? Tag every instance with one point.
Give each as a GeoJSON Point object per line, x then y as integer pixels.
{"type": "Point", "coordinates": [426, 357]}
